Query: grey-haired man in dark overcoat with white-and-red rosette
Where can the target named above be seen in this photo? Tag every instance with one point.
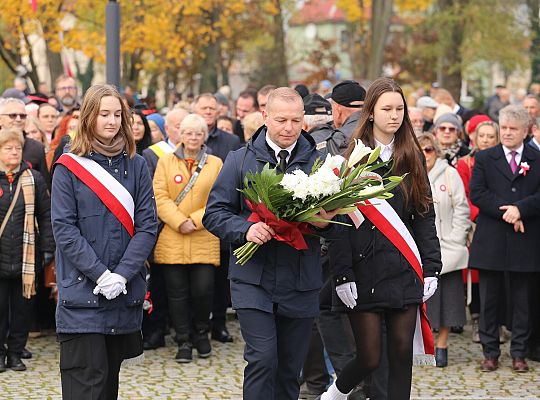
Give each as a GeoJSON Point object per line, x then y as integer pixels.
{"type": "Point", "coordinates": [505, 186]}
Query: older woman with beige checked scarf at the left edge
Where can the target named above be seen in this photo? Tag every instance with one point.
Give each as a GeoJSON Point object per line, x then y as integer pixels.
{"type": "Point", "coordinates": [24, 206]}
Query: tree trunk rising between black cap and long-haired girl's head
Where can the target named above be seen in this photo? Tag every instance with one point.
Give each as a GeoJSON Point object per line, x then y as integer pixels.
{"type": "Point", "coordinates": [381, 12]}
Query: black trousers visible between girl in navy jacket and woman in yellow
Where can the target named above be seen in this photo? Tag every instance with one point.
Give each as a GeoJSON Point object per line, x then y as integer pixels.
{"type": "Point", "coordinates": [156, 322]}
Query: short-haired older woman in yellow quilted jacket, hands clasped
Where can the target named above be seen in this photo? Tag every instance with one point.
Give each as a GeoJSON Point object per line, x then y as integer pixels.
{"type": "Point", "coordinates": [187, 251]}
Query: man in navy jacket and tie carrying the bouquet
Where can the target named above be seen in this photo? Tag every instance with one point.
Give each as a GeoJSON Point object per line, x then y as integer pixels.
{"type": "Point", "coordinates": [276, 294]}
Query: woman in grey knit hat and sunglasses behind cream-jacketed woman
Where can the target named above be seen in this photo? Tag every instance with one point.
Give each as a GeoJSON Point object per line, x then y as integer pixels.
{"type": "Point", "coordinates": [449, 133]}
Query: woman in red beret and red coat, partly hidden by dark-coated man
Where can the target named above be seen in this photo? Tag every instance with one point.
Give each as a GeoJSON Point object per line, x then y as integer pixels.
{"type": "Point", "coordinates": [484, 135]}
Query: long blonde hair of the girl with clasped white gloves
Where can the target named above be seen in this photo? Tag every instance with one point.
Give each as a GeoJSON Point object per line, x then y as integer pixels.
{"type": "Point", "coordinates": [86, 131]}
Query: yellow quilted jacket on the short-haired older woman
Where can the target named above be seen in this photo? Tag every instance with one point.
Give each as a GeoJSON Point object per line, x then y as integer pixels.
{"type": "Point", "coordinates": [173, 247]}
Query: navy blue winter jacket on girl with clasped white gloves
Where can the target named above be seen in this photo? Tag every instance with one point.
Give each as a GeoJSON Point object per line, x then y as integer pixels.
{"type": "Point", "coordinates": [90, 240]}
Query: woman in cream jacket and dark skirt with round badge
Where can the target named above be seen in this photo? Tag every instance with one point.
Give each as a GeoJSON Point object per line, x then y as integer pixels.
{"type": "Point", "coordinates": [447, 306]}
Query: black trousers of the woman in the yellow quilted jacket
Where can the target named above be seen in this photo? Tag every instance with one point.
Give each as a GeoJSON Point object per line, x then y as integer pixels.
{"type": "Point", "coordinates": [189, 291]}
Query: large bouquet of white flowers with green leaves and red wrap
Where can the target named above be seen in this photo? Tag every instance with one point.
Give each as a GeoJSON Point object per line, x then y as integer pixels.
{"type": "Point", "coordinates": [289, 202]}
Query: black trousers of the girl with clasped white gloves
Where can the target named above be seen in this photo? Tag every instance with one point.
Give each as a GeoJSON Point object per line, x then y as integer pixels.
{"type": "Point", "coordinates": [90, 364]}
